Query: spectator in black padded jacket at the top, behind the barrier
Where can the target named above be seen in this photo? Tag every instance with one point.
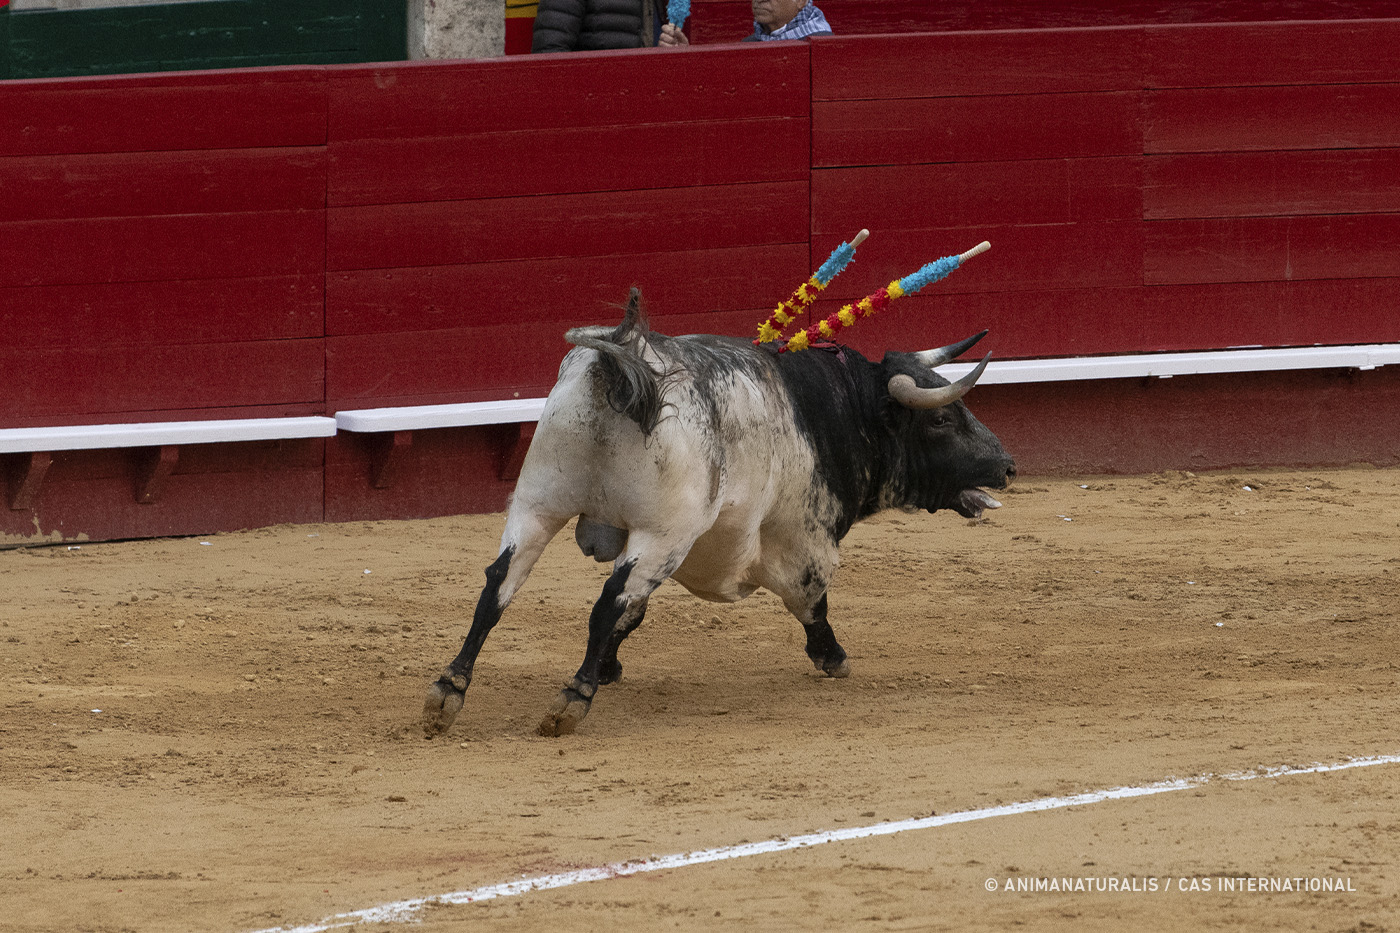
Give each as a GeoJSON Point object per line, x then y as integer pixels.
{"type": "Point", "coordinates": [593, 26]}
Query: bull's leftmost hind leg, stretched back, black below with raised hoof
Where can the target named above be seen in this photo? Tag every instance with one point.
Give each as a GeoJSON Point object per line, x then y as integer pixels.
{"type": "Point", "coordinates": [521, 546]}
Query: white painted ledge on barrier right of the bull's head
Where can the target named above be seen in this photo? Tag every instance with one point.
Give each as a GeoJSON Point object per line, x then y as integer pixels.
{"type": "Point", "coordinates": [1168, 365]}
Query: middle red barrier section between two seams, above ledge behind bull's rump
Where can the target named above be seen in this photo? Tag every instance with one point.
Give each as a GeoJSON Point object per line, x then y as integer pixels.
{"type": "Point", "coordinates": [484, 225]}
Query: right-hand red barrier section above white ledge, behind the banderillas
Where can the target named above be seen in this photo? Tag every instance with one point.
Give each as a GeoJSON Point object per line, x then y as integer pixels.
{"type": "Point", "coordinates": [1095, 186]}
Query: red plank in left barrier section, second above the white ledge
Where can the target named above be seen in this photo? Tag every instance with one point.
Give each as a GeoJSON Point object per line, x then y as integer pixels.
{"type": "Point", "coordinates": [163, 313]}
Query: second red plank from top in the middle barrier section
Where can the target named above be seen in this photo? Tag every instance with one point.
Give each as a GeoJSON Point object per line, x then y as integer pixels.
{"type": "Point", "coordinates": [673, 155]}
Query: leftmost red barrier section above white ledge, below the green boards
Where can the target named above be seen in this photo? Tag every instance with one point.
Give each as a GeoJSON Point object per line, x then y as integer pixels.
{"type": "Point", "coordinates": [164, 246]}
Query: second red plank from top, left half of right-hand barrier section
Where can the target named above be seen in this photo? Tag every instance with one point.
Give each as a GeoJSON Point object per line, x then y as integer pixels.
{"type": "Point", "coordinates": [975, 130]}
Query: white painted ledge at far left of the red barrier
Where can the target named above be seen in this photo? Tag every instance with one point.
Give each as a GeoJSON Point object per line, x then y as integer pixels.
{"type": "Point", "coordinates": [15, 441]}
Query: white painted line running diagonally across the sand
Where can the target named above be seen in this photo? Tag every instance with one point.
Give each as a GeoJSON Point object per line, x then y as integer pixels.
{"type": "Point", "coordinates": [411, 910]}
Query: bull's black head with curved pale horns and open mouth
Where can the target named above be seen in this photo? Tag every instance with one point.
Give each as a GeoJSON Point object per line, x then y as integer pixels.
{"type": "Point", "coordinates": [946, 453]}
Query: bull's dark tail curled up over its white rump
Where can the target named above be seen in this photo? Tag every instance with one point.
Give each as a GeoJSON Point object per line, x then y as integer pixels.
{"type": "Point", "coordinates": [632, 386]}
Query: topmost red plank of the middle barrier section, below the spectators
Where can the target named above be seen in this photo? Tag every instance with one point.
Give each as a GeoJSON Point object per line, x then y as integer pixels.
{"type": "Point", "coordinates": [569, 90]}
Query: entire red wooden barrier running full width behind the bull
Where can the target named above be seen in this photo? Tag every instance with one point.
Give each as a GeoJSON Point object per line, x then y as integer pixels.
{"type": "Point", "coordinates": [293, 242]}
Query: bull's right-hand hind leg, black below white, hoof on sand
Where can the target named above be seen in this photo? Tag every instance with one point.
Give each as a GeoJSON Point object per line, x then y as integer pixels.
{"type": "Point", "coordinates": [618, 611]}
